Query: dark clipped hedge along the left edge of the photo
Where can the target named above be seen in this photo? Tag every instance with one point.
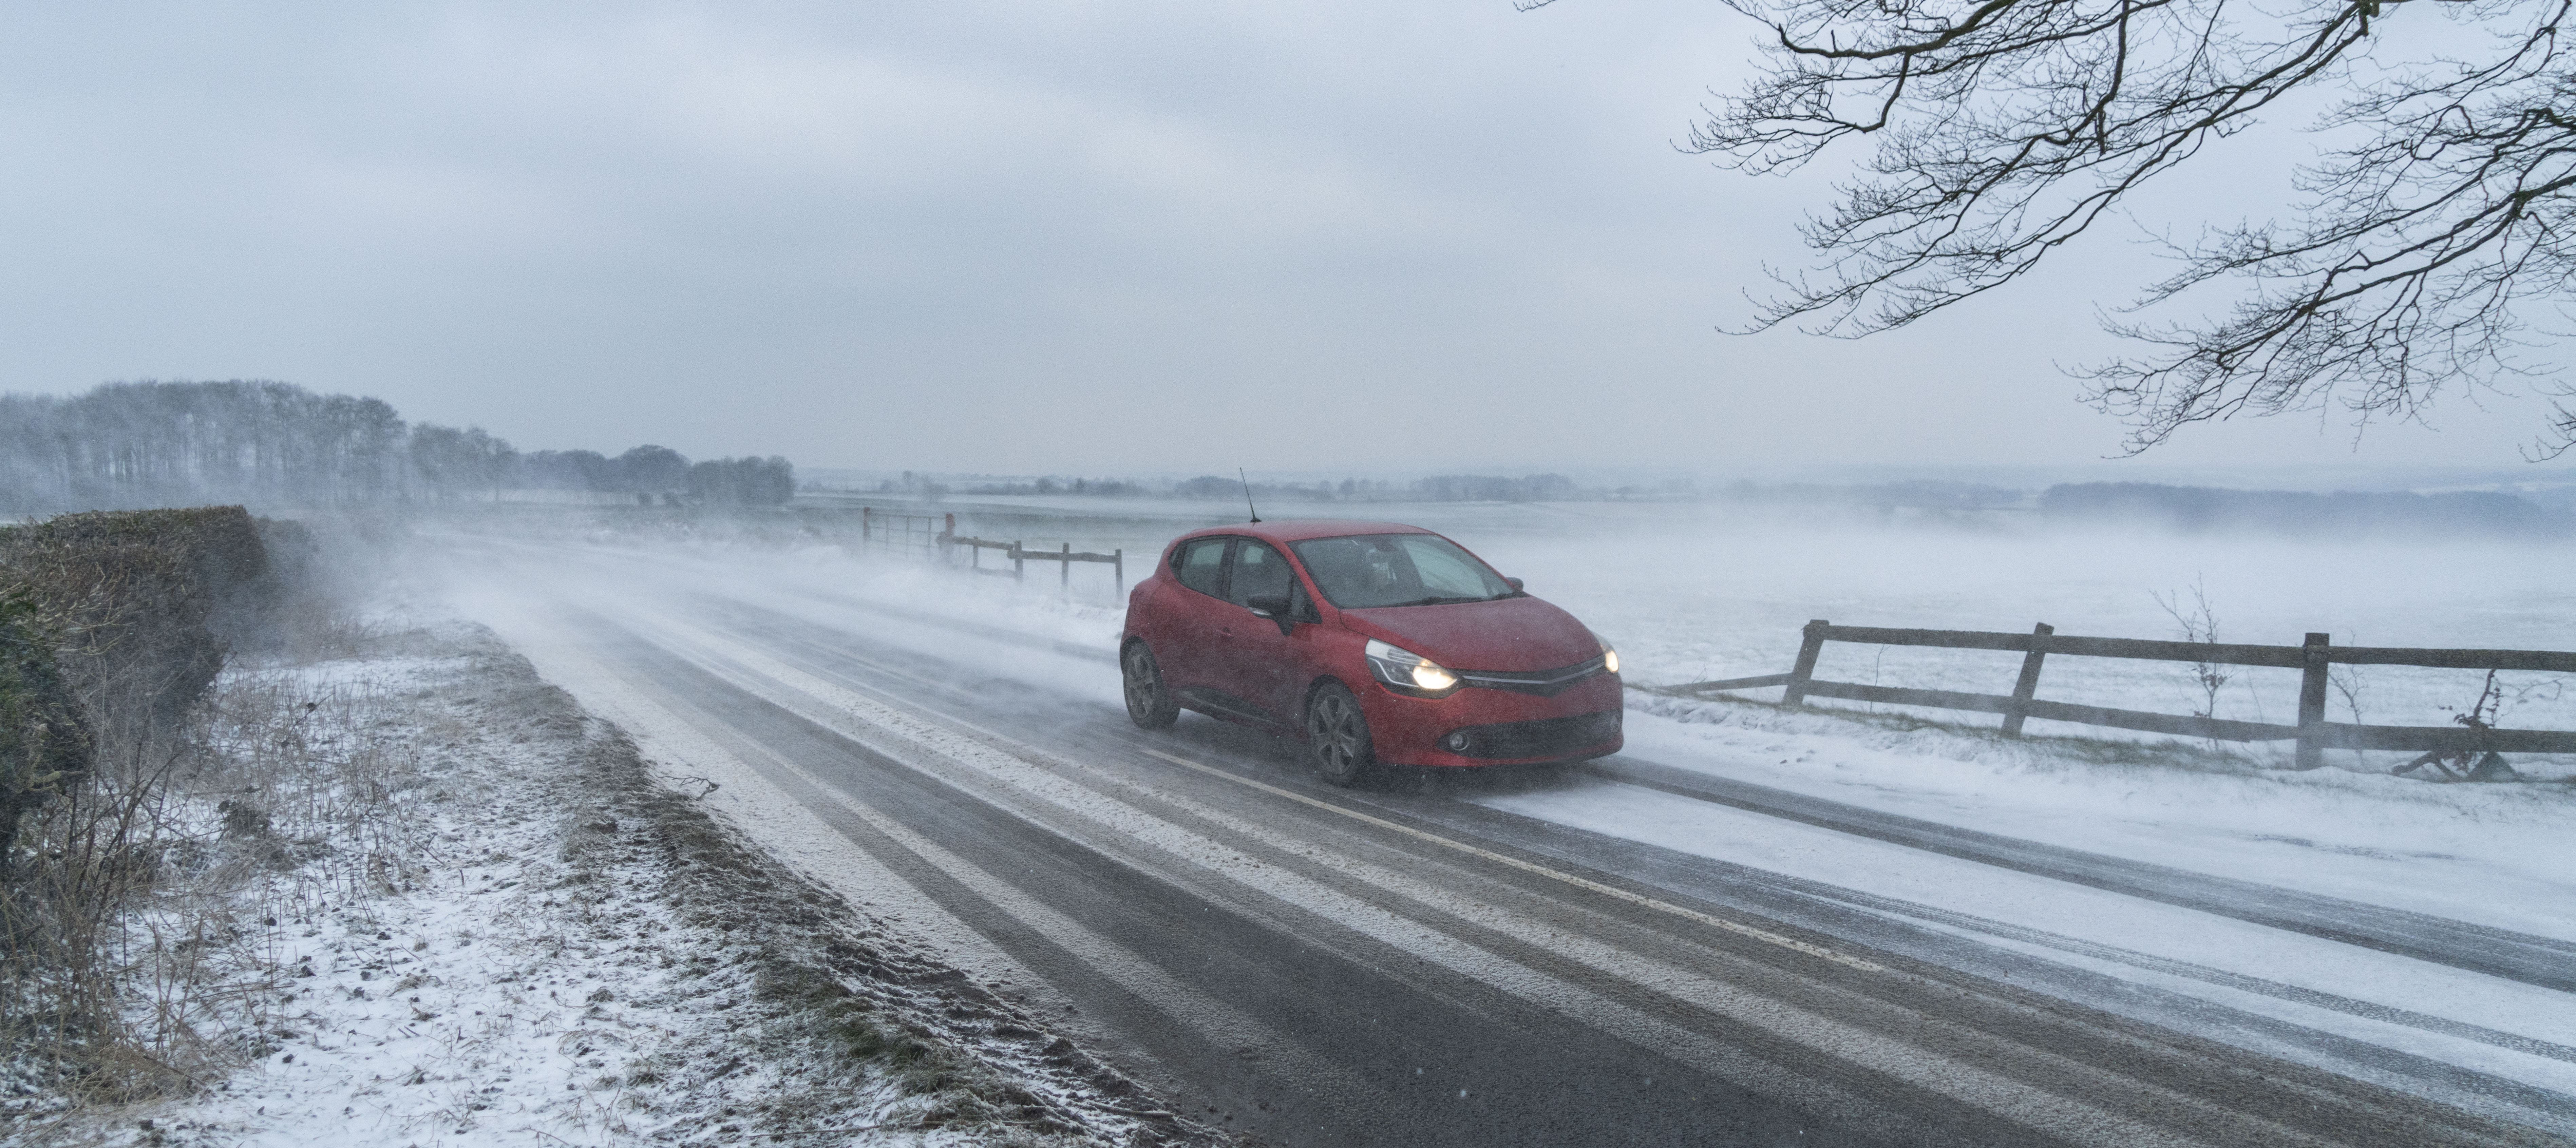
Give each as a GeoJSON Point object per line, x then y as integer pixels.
{"type": "Point", "coordinates": [112, 627]}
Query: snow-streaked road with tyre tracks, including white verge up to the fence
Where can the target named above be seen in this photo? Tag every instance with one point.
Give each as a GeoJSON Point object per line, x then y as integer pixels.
{"type": "Point", "coordinates": [1691, 943]}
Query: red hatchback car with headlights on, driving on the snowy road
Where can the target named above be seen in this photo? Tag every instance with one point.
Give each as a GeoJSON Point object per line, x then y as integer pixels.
{"type": "Point", "coordinates": [1374, 642]}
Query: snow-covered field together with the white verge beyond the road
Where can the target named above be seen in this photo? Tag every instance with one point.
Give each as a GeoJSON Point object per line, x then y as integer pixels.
{"type": "Point", "coordinates": [1694, 598]}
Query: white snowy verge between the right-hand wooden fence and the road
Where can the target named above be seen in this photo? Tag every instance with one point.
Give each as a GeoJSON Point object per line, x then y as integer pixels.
{"type": "Point", "coordinates": [2474, 853]}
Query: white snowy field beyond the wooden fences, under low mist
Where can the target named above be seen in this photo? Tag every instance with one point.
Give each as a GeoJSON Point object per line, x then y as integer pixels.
{"type": "Point", "coordinates": [1696, 593]}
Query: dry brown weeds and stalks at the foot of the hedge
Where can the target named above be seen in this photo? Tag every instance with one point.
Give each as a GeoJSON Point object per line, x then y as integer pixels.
{"type": "Point", "coordinates": [138, 930]}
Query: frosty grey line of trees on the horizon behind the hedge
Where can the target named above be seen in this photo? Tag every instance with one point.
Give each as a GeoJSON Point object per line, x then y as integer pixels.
{"type": "Point", "coordinates": [269, 444]}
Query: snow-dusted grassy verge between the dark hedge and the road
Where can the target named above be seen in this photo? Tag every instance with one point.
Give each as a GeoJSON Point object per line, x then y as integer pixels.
{"type": "Point", "coordinates": [457, 910]}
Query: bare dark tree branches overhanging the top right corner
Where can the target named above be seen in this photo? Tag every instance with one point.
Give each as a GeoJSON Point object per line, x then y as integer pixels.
{"type": "Point", "coordinates": [2011, 127]}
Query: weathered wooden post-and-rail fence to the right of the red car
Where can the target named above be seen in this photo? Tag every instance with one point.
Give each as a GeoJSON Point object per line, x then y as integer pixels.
{"type": "Point", "coordinates": [2315, 735]}
